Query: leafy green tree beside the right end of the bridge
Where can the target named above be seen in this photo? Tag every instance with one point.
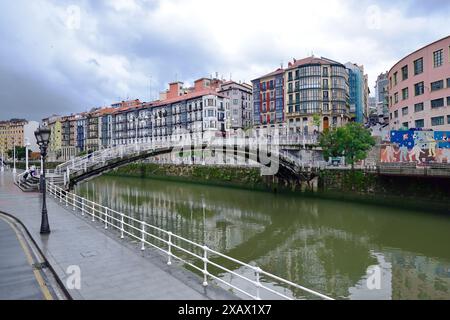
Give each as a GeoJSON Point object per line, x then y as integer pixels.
{"type": "Point", "coordinates": [352, 141]}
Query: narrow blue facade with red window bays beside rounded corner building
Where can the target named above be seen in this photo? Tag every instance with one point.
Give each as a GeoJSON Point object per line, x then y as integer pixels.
{"type": "Point", "coordinates": [268, 102]}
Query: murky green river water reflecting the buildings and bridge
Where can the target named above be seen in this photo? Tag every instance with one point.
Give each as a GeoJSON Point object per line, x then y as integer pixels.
{"type": "Point", "coordinates": [325, 245]}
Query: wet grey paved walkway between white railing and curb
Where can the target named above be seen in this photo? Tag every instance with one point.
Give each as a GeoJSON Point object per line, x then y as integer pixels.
{"type": "Point", "coordinates": [110, 268]}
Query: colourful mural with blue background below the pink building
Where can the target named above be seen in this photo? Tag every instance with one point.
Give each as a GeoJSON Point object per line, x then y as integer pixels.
{"type": "Point", "coordinates": [420, 147]}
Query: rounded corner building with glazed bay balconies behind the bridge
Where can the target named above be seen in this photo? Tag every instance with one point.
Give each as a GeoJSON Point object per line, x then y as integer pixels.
{"type": "Point", "coordinates": [317, 93]}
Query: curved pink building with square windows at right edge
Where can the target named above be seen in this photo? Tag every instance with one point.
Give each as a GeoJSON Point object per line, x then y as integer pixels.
{"type": "Point", "coordinates": [419, 89]}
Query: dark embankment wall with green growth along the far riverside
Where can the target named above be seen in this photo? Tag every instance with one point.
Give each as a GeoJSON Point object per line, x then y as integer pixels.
{"type": "Point", "coordinates": [429, 194]}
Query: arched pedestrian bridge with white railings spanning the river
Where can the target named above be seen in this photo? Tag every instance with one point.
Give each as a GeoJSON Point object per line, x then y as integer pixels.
{"type": "Point", "coordinates": [272, 157]}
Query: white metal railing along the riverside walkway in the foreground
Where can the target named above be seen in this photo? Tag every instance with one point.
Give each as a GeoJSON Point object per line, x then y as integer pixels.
{"type": "Point", "coordinates": [174, 246]}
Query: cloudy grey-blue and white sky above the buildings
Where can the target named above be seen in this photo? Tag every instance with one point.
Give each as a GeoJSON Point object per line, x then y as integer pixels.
{"type": "Point", "coordinates": [60, 56]}
